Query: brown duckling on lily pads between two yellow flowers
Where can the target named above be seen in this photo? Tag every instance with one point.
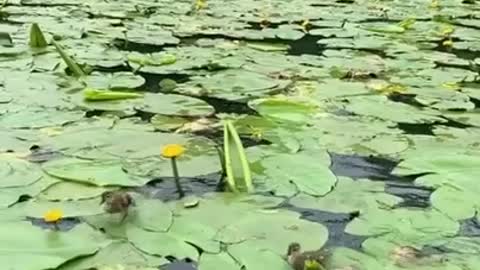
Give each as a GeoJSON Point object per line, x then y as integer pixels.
{"type": "Point", "coordinates": [117, 202]}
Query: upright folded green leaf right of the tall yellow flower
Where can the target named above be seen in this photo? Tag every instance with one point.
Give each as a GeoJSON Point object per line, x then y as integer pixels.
{"type": "Point", "coordinates": [236, 164]}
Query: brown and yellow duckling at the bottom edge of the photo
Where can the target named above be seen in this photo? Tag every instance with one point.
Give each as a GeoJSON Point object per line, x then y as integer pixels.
{"type": "Point", "coordinates": [307, 260]}
